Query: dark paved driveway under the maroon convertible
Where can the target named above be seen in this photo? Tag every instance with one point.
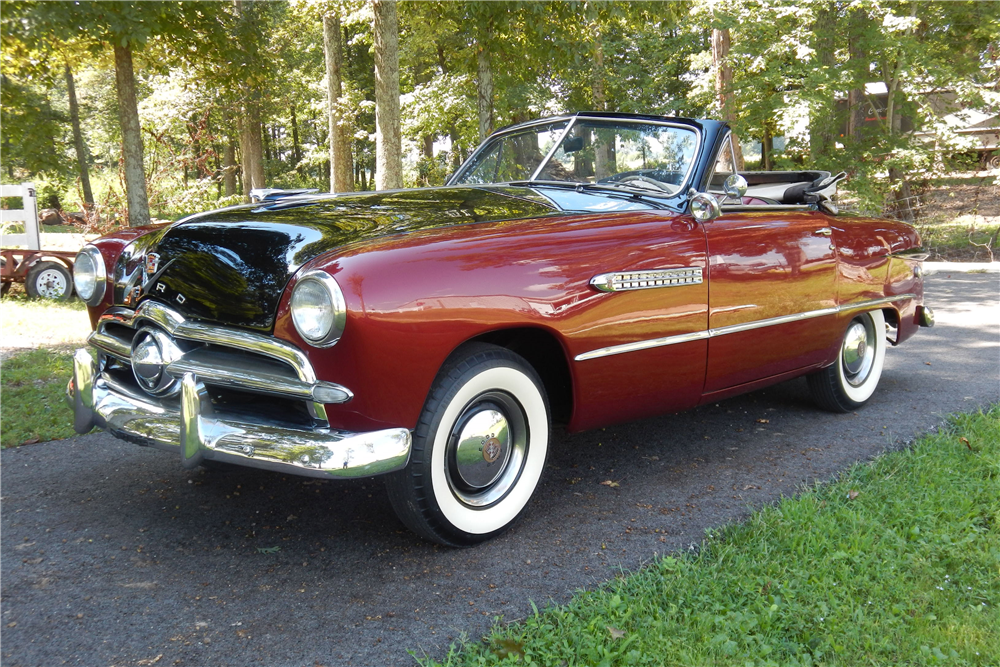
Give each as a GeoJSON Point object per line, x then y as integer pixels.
{"type": "Point", "coordinates": [114, 555]}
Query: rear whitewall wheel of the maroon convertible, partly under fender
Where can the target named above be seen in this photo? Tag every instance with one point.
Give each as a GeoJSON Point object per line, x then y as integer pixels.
{"type": "Point", "coordinates": [848, 384]}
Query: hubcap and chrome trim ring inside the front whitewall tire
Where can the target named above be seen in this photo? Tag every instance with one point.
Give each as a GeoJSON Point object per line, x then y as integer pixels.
{"type": "Point", "coordinates": [486, 449]}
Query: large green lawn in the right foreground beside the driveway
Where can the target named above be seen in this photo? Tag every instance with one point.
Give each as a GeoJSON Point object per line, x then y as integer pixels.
{"type": "Point", "coordinates": [896, 563]}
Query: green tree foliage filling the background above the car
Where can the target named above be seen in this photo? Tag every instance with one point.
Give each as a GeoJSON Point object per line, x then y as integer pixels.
{"type": "Point", "coordinates": [200, 63]}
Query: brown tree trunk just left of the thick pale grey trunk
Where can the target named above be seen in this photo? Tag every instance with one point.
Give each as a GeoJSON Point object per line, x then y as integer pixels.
{"type": "Point", "coordinates": [341, 161]}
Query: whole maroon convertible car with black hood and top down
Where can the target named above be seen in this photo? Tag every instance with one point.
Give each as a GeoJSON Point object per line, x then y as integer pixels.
{"type": "Point", "coordinates": [579, 270]}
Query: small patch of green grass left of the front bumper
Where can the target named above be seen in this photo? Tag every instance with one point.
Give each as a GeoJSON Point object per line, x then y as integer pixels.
{"type": "Point", "coordinates": [33, 390]}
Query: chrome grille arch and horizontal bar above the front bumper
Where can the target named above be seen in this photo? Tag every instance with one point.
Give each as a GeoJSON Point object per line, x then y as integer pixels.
{"type": "Point", "coordinates": [293, 377]}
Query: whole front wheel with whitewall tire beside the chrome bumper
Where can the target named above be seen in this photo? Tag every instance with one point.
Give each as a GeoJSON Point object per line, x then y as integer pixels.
{"type": "Point", "coordinates": [478, 450]}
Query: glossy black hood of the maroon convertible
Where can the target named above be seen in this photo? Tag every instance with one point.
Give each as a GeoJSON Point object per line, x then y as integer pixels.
{"type": "Point", "coordinates": [230, 266]}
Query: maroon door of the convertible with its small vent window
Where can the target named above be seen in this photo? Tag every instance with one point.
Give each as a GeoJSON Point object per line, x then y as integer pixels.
{"type": "Point", "coordinates": [772, 292]}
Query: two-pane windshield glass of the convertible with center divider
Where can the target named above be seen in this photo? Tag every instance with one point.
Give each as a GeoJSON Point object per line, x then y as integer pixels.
{"type": "Point", "coordinates": [638, 154]}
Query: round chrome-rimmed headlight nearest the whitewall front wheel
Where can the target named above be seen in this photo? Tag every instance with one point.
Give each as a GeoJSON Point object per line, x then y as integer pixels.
{"type": "Point", "coordinates": [319, 311]}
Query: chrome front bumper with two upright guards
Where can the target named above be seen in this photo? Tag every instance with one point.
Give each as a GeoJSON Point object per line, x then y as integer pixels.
{"type": "Point", "coordinates": [199, 435]}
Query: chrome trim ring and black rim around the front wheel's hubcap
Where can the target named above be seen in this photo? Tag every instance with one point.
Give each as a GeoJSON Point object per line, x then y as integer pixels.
{"type": "Point", "coordinates": [514, 455]}
